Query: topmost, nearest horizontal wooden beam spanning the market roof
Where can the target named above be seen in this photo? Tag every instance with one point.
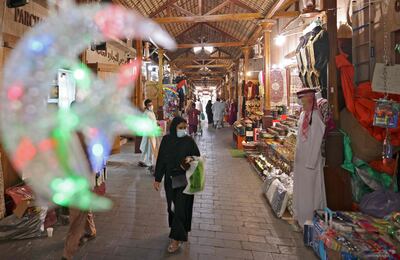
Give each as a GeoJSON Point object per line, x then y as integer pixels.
{"type": "Point", "coordinates": [209, 18]}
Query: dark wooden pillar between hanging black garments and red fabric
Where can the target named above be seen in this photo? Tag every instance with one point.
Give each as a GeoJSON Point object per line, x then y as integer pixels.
{"type": "Point", "coordinates": [330, 6]}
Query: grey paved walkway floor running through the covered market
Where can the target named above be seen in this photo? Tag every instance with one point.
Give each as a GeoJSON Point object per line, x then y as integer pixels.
{"type": "Point", "coordinates": [231, 219]}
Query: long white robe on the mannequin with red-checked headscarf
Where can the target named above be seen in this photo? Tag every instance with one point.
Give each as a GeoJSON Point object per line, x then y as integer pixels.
{"type": "Point", "coordinates": [309, 185]}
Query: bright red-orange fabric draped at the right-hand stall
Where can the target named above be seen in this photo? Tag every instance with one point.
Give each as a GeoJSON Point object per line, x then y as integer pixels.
{"type": "Point", "coordinates": [360, 101]}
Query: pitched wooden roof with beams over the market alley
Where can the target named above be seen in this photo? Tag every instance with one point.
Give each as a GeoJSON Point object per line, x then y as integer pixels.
{"type": "Point", "coordinates": [226, 25]}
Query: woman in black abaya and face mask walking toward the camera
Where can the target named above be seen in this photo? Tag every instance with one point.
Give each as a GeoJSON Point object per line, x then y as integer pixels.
{"type": "Point", "coordinates": [172, 162]}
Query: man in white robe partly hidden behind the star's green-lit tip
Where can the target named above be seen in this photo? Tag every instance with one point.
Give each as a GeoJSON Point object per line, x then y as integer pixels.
{"type": "Point", "coordinates": [148, 142]}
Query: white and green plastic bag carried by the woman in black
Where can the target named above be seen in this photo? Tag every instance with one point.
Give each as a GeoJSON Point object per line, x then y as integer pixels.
{"type": "Point", "coordinates": [195, 176]}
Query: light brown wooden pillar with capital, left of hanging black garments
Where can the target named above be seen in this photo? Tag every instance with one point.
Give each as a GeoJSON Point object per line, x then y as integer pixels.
{"type": "Point", "coordinates": [267, 29]}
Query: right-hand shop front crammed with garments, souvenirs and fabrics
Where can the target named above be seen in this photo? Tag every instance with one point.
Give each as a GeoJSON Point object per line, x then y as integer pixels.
{"type": "Point", "coordinates": [358, 151]}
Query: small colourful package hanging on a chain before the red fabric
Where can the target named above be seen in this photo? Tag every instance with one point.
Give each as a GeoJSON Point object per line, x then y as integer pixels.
{"type": "Point", "coordinates": [386, 114]}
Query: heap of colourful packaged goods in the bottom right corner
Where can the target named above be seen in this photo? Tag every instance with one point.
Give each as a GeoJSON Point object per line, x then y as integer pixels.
{"type": "Point", "coordinates": [363, 242]}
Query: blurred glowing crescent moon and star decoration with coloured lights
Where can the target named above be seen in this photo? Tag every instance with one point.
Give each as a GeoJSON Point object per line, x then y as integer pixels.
{"type": "Point", "coordinates": [43, 145]}
